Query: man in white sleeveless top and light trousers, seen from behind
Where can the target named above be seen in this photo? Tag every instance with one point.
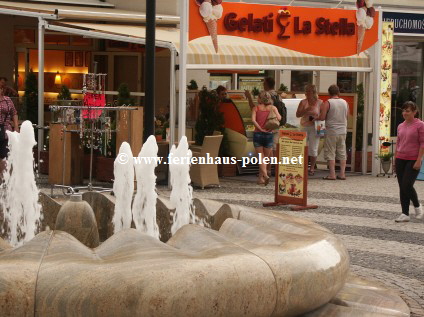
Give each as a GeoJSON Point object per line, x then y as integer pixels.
{"type": "Point", "coordinates": [335, 112]}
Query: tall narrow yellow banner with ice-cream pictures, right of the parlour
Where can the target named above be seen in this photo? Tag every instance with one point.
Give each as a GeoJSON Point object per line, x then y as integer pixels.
{"type": "Point", "coordinates": [386, 81]}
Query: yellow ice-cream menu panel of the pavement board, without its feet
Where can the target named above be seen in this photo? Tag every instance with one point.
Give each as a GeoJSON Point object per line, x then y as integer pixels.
{"type": "Point", "coordinates": [291, 170]}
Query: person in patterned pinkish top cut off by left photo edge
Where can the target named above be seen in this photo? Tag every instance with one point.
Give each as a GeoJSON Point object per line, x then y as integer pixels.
{"type": "Point", "coordinates": [8, 116]}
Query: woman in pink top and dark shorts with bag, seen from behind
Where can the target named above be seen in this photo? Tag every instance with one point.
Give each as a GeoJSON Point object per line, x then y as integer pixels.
{"type": "Point", "coordinates": [266, 118]}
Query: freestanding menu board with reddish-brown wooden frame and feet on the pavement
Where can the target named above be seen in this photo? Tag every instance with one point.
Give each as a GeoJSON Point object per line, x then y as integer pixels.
{"type": "Point", "coordinates": [291, 175]}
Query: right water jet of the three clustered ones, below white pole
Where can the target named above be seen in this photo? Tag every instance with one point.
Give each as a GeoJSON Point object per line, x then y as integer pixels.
{"type": "Point", "coordinates": [182, 192]}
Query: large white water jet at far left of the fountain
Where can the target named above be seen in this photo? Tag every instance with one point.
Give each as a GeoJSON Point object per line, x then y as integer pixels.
{"type": "Point", "coordinates": [19, 193]}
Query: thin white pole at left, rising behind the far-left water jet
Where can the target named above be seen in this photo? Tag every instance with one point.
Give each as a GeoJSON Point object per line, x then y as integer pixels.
{"type": "Point", "coordinates": [41, 28]}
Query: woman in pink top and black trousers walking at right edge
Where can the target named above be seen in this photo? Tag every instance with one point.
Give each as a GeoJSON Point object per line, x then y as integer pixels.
{"type": "Point", "coordinates": [409, 156]}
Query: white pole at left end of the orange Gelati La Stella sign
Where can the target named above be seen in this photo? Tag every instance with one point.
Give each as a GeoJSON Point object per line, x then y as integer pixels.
{"type": "Point", "coordinates": [183, 68]}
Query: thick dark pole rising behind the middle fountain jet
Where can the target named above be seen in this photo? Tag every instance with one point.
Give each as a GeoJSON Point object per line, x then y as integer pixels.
{"type": "Point", "coordinates": [149, 87]}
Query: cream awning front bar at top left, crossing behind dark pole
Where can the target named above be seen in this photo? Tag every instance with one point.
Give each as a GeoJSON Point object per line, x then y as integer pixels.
{"type": "Point", "coordinates": [80, 13]}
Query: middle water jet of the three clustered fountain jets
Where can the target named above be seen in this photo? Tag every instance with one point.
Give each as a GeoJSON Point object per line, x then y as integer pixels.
{"type": "Point", "coordinates": [144, 205]}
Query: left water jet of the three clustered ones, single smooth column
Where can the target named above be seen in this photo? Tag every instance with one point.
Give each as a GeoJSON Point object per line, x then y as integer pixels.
{"type": "Point", "coordinates": [123, 187]}
